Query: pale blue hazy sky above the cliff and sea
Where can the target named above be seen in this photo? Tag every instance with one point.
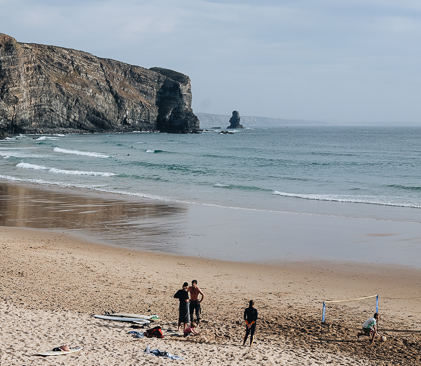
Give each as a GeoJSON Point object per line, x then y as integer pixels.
{"type": "Point", "coordinates": [320, 60]}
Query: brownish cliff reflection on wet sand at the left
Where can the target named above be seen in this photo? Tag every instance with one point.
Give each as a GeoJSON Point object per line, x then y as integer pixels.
{"type": "Point", "coordinates": [137, 224]}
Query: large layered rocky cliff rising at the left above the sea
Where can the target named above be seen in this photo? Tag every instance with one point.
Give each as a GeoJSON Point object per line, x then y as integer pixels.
{"type": "Point", "coordinates": [46, 89]}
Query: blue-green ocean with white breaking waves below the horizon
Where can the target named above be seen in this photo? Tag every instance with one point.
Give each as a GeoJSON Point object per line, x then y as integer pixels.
{"type": "Point", "coordinates": [370, 173]}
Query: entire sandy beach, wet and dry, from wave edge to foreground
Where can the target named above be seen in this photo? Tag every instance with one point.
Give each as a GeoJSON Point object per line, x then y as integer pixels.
{"type": "Point", "coordinates": [66, 255]}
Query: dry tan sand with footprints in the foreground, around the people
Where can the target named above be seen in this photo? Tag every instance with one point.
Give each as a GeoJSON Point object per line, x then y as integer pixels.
{"type": "Point", "coordinates": [52, 283]}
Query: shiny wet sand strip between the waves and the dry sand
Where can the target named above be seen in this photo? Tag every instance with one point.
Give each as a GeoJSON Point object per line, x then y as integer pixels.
{"type": "Point", "coordinates": [212, 232]}
